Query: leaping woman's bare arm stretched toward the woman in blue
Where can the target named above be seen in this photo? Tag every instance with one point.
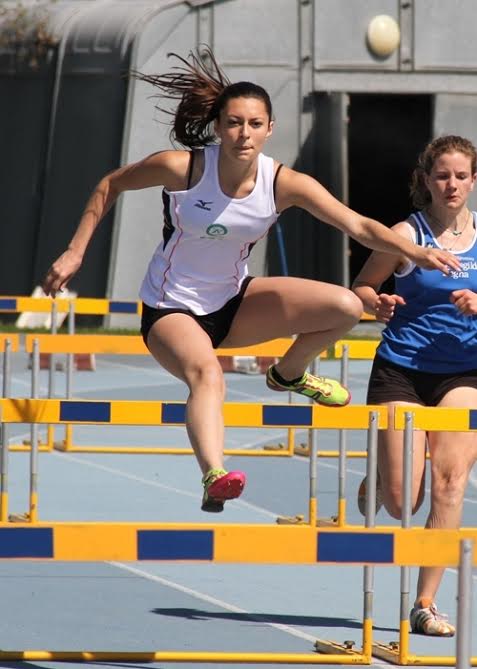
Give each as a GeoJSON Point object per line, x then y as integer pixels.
{"type": "Point", "coordinates": [300, 190]}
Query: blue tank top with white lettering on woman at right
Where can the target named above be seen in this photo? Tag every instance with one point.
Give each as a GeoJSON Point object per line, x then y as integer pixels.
{"type": "Point", "coordinates": [428, 333]}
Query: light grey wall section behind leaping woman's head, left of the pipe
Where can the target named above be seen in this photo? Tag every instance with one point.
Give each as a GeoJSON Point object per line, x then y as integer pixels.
{"type": "Point", "coordinates": [269, 63]}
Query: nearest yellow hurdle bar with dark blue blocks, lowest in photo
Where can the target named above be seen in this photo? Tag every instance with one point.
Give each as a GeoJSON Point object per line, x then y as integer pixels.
{"type": "Point", "coordinates": [232, 543]}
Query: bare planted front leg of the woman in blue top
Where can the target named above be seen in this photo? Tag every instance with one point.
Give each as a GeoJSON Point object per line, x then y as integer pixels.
{"type": "Point", "coordinates": [452, 456]}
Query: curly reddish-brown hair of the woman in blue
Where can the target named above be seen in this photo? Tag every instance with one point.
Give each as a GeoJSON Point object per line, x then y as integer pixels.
{"type": "Point", "coordinates": [420, 194]}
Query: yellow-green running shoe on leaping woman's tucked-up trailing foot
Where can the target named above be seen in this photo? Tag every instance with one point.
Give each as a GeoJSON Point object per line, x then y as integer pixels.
{"type": "Point", "coordinates": [324, 391]}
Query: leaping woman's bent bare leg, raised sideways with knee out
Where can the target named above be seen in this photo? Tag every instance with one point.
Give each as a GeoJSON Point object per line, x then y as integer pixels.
{"type": "Point", "coordinates": [319, 313]}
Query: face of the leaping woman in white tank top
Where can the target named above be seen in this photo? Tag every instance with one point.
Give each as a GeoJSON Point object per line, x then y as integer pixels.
{"type": "Point", "coordinates": [243, 126]}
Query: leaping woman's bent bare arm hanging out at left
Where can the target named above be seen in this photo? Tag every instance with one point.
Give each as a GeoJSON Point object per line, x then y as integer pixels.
{"type": "Point", "coordinates": [167, 168]}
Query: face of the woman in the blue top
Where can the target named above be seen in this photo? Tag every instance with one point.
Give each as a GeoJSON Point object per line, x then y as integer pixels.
{"type": "Point", "coordinates": [451, 180]}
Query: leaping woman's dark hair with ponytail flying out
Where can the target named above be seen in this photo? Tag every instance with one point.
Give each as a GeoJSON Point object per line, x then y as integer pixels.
{"type": "Point", "coordinates": [202, 91]}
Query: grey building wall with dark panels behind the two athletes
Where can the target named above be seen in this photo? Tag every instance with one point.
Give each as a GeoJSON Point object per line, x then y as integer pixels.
{"type": "Point", "coordinates": [311, 55]}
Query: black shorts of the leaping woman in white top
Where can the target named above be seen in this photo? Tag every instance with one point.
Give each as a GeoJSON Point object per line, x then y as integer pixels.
{"type": "Point", "coordinates": [216, 324]}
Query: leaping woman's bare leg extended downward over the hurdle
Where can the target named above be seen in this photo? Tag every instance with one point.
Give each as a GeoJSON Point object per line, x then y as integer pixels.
{"type": "Point", "coordinates": [180, 345]}
